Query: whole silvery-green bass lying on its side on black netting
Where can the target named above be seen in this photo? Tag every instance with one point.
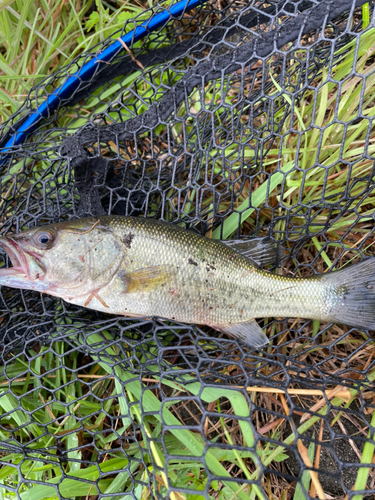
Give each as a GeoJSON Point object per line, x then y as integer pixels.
{"type": "Point", "coordinates": [142, 267]}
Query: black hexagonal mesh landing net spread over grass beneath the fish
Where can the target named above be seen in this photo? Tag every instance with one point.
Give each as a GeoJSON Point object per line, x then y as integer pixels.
{"type": "Point", "coordinates": [233, 119]}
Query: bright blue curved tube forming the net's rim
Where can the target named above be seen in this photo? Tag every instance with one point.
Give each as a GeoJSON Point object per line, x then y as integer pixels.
{"type": "Point", "coordinates": [85, 73]}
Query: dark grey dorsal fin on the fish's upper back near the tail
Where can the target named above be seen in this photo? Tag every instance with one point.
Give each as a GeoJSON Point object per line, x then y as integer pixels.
{"type": "Point", "coordinates": [262, 251]}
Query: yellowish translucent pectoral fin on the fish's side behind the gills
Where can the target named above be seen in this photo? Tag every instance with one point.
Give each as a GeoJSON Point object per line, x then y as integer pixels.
{"type": "Point", "coordinates": [146, 279]}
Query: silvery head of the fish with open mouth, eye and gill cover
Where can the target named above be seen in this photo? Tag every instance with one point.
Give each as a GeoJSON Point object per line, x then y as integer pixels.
{"type": "Point", "coordinates": [65, 259]}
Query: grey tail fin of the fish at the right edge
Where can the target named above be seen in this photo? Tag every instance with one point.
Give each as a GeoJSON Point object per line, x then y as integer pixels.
{"type": "Point", "coordinates": [353, 295]}
